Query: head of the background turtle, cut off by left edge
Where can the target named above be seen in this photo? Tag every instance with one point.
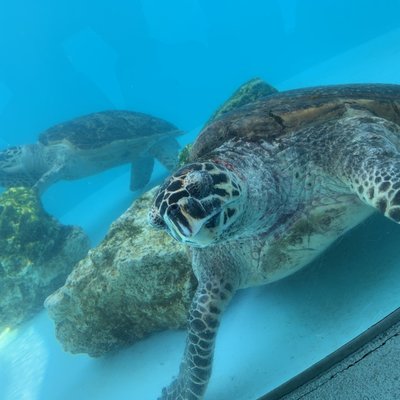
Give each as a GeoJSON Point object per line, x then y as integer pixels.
{"type": "Point", "coordinates": [16, 167]}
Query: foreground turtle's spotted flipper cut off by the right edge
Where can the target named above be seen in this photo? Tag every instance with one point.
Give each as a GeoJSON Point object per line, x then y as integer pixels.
{"type": "Point", "coordinates": [368, 161]}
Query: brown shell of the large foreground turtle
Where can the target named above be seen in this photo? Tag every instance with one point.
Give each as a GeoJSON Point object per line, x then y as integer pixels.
{"type": "Point", "coordinates": [282, 113]}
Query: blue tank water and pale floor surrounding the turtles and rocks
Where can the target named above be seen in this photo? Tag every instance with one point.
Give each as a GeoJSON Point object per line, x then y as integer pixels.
{"type": "Point", "coordinates": [179, 60]}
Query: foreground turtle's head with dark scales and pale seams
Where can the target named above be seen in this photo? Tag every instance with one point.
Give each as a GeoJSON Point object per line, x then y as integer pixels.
{"type": "Point", "coordinates": [198, 204]}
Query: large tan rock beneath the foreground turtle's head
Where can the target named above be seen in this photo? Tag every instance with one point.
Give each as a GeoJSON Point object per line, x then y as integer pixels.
{"type": "Point", "coordinates": [137, 281]}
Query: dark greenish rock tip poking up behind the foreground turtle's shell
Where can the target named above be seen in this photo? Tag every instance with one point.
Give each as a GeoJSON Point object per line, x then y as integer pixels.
{"type": "Point", "coordinates": [250, 91]}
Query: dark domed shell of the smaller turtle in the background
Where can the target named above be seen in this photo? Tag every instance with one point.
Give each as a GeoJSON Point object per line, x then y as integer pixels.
{"type": "Point", "coordinates": [98, 129]}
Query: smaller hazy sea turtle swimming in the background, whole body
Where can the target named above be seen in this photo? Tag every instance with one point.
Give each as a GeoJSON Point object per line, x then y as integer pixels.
{"type": "Point", "coordinates": [91, 144]}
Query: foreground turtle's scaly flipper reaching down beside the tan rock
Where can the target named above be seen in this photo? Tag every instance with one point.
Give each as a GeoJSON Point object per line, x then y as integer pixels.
{"type": "Point", "coordinates": [215, 289]}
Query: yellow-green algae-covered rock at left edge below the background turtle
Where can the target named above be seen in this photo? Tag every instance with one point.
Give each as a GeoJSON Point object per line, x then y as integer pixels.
{"type": "Point", "coordinates": [36, 255]}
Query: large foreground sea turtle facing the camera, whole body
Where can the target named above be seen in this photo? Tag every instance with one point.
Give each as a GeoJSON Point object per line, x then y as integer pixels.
{"type": "Point", "coordinates": [267, 188]}
